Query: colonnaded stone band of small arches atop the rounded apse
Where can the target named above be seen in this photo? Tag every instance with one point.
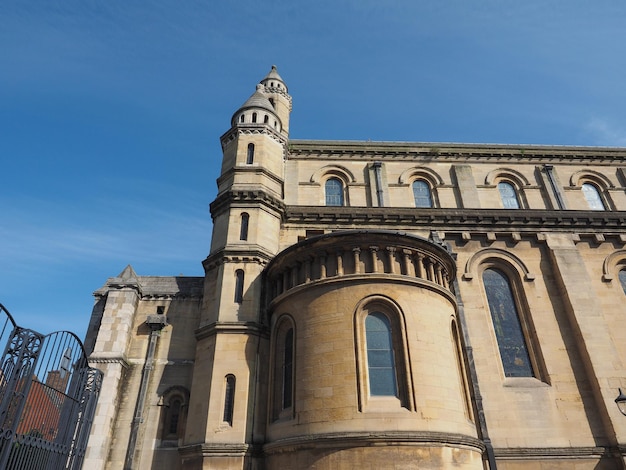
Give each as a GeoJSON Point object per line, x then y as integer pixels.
{"type": "Point", "coordinates": [358, 253]}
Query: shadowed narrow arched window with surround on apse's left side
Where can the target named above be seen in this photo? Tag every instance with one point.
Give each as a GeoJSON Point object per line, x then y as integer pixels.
{"type": "Point", "coordinates": [283, 371]}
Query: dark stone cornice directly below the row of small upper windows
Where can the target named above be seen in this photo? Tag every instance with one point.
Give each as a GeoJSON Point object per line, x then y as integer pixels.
{"type": "Point", "coordinates": [451, 220]}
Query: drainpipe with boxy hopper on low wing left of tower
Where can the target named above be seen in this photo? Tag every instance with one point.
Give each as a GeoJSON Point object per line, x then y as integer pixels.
{"type": "Point", "coordinates": [156, 323]}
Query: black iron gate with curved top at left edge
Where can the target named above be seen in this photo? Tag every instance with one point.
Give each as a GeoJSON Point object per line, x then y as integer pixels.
{"type": "Point", "coordinates": [48, 396]}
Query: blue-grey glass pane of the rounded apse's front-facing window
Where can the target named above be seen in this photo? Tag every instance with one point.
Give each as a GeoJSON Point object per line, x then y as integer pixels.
{"type": "Point", "coordinates": [380, 358]}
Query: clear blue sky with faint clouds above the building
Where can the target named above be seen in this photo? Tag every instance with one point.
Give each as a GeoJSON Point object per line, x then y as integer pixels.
{"type": "Point", "coordinates": [111, 111]}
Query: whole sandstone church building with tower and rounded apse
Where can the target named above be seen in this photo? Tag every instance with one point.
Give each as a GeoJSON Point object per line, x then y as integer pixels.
{"type": "Point", "coordinates": [377, 305]}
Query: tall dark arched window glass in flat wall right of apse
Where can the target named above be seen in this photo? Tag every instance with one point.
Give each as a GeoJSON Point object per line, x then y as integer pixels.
{"type": "Point", "coordinates": [507, 325]}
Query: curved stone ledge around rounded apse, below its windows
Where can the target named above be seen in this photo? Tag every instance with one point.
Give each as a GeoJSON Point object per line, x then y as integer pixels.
{"type": "Point", "coordinates": [342, 440]}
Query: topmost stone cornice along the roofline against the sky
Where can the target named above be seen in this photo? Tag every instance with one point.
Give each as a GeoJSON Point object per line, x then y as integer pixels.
{"type": "Point", "coordinates": [429, 151]}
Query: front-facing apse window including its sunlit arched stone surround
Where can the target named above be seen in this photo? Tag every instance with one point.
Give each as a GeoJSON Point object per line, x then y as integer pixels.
{"type": "Point", "coordinates": [382, 356]}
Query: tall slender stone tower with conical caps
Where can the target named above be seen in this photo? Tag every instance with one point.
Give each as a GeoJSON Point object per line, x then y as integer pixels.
{"type": "Point", "coordinates": [246, 223]}
